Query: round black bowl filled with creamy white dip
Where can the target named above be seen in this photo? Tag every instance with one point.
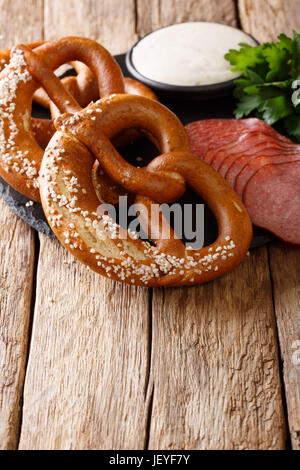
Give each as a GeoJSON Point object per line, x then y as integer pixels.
{"type": "Point", "coordinates": [187, 57]}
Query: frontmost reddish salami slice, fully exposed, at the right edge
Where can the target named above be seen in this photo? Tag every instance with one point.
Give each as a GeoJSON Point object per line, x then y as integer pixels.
{"type": "Point", "coordinates": [272, 197]}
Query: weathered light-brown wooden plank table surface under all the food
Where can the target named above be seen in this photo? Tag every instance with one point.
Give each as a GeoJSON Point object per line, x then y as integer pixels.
{"type": "Point", "coordinates": [86, 363]}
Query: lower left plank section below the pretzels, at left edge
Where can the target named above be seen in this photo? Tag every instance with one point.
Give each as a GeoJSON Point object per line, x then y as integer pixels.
{"type": "Point", "coordinates": [17, 256]}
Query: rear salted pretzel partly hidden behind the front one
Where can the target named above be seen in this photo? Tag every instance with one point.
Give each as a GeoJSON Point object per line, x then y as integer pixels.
{"type": "Point", "coordinates": [20, 154]}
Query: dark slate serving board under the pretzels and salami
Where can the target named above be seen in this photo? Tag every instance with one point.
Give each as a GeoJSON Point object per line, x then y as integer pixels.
{"type": "Point", "coordinates": [187, 111]}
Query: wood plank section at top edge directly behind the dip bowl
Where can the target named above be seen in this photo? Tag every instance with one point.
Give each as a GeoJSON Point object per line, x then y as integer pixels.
{"type": "Point", "coordinates": [158, 13]}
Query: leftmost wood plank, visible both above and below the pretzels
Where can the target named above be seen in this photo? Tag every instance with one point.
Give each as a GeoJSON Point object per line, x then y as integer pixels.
{"type": "Point", "coordinates": [16, 252]}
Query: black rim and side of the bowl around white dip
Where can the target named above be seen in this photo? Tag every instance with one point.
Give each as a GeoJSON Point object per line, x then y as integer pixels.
{"type": "Point", "coordinates": [178, 92]}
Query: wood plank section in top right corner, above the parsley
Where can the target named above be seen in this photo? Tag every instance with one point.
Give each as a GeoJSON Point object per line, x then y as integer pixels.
{"type": "Point", "coordinates": [265, 19]}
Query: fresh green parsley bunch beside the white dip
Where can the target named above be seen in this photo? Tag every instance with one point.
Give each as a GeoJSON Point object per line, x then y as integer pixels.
{"type": "Point", "coordinates": [268, 86]}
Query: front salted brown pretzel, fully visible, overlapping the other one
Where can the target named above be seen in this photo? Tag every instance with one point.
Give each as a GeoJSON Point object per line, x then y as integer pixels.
{"type": "Point", "coordinates": [70, 202]}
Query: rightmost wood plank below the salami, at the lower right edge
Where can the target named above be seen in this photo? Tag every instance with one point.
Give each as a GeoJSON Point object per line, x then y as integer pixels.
{"type": "Point", "coordinates": [285, 267]}
